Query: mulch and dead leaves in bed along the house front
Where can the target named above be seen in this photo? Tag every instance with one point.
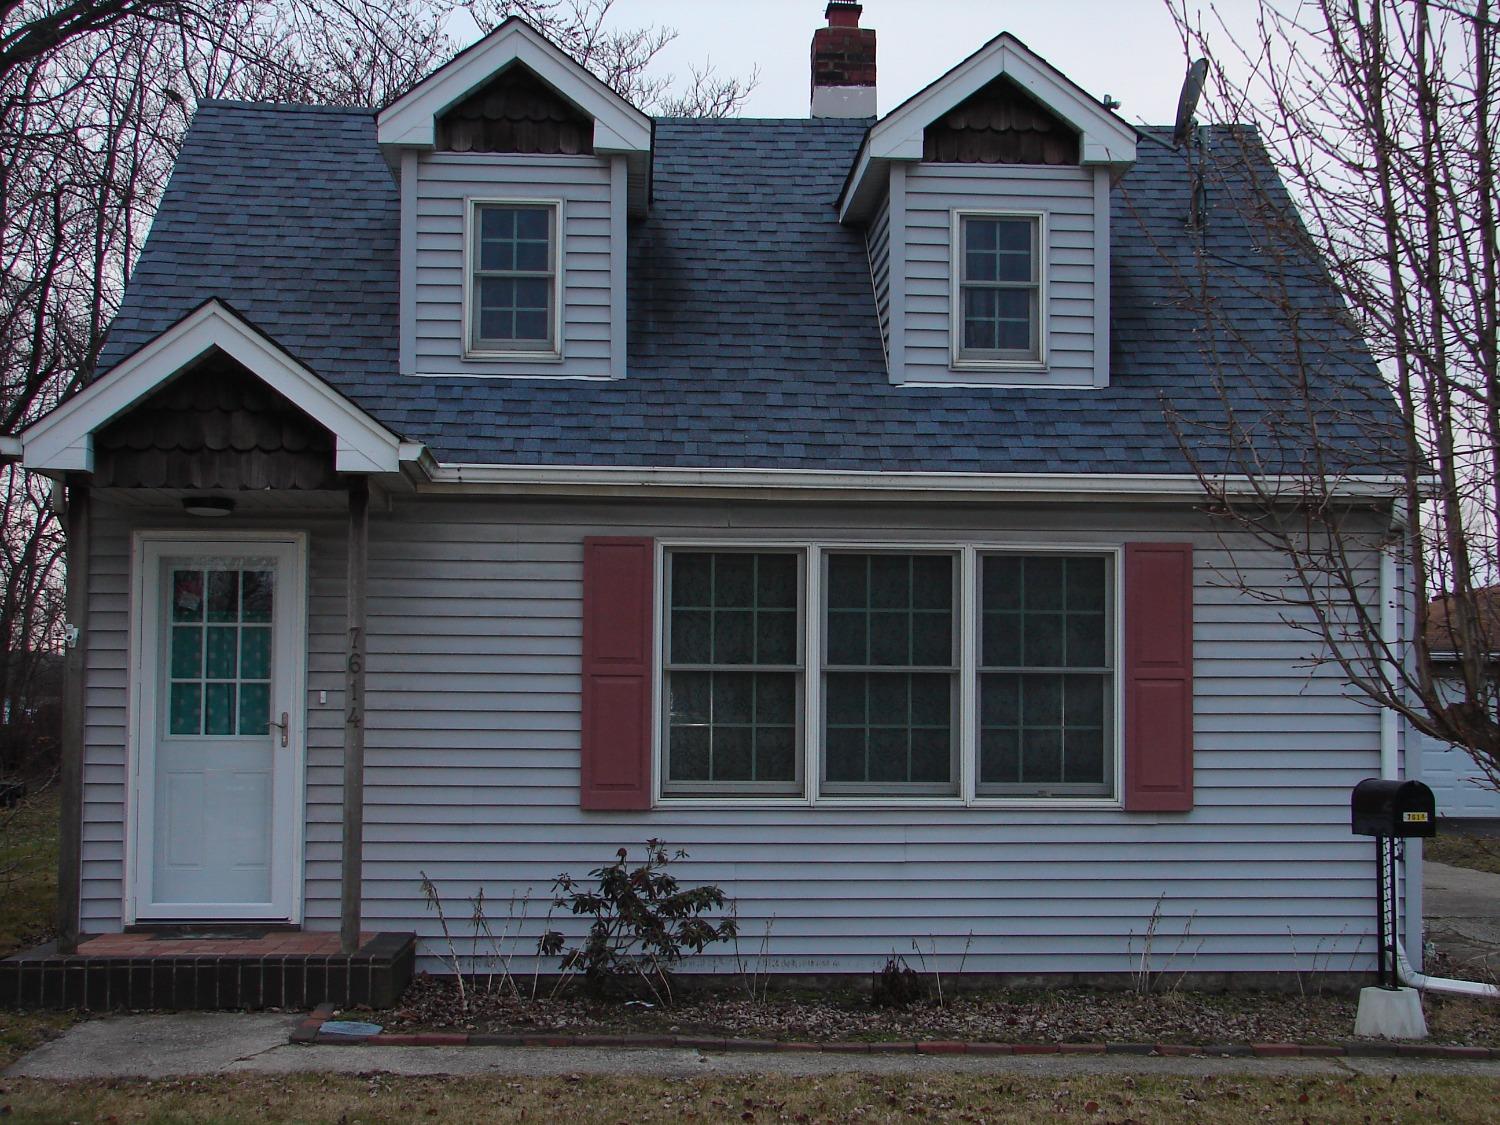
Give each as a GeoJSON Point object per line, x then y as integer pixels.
{"type": "Point", "coordinates": [1015, 1016]}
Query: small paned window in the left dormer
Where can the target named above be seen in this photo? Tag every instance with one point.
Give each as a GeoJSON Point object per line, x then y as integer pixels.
{"type": "Point", "coordinates": [514, 280]}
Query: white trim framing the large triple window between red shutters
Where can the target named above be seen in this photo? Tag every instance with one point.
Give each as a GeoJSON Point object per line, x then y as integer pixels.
{"type": "Point", "coordinates": [968, 553]}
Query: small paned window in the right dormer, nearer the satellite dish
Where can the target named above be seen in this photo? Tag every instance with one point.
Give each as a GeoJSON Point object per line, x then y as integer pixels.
{"type": "Point", "coordinates": [1000, 290]}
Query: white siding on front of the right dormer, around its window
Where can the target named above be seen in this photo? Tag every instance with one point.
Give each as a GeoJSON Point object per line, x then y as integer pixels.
{"type": "Point", "coordinates": [1070, 209]}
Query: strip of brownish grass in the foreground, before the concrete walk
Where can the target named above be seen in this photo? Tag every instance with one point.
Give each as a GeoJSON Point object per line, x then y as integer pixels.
{"type": "Point", "coordinates": [353, 1100]}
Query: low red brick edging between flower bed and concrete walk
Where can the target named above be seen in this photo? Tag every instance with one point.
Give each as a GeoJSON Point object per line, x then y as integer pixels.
{"type": "Point", "coordinates": [310, 1033]}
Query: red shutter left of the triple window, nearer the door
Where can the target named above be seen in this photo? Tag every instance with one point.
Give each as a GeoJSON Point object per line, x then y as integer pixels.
{"type": "Point", "coordinates": [617, 673]}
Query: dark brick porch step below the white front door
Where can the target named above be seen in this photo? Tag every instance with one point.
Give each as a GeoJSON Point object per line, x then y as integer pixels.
{"type": "Point", "coordinates": [277, 971]}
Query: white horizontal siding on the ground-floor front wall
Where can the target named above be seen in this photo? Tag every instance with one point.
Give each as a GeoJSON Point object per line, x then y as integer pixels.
{"type": "Point", "coordinates": [473, 761]}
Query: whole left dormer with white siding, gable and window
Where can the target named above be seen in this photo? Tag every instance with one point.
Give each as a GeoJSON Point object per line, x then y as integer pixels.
{"type": "Point", "coordinates": [518, 173]}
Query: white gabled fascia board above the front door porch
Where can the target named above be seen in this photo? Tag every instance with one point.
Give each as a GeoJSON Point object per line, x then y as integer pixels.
{"type": "Point", "coordinates": [64, 440]}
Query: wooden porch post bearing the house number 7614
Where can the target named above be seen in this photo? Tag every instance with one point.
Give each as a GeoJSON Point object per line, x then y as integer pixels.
{"type": "Point", "coordinates": [352, 890]}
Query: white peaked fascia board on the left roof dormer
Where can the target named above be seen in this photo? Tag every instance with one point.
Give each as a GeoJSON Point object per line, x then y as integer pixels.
{"type": "Point", "coordinates": [412, 119]}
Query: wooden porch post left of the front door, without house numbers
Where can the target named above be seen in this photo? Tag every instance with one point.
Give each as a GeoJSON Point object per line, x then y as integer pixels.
{"type": "Point", "coordinates": [71, 769]}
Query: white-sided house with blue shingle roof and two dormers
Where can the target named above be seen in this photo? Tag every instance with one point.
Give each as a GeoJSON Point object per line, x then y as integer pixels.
{"type": "Point", "coordinates": [491, 482]}
